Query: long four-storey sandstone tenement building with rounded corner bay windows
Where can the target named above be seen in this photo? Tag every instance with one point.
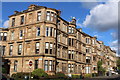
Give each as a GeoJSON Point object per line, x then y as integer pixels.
{"type": "Point", "coordinates": [52, 43]}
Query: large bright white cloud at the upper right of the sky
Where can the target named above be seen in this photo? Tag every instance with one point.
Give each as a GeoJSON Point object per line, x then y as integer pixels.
{"type": "Point", "coordinates": [103, 17]}
